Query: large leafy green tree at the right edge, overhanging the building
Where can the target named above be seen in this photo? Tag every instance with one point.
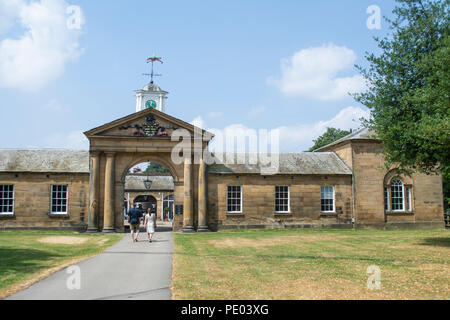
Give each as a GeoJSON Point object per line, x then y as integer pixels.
{"type": "Point", "coordinates": [409, 88]}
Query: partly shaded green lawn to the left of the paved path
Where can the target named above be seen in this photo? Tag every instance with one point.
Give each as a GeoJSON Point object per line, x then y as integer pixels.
{"type": "Point", "coordinates": [28, 256]}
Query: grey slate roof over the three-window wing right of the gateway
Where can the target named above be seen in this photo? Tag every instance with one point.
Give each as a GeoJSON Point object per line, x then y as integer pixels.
{"type": "Point", "coordinates": [289, 163]}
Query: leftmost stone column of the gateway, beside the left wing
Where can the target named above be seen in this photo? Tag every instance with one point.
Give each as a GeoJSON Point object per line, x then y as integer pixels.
{"type": "Point", "coordinates": [93, 192]}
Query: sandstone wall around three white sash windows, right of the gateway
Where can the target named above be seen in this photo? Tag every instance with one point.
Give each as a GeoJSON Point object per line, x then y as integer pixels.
{"type": "Point", "coordinates": [258, 201]}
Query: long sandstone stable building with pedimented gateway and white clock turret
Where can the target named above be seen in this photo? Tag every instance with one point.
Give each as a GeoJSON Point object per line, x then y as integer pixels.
{"type": "Point", "coordinates": [341, 185]}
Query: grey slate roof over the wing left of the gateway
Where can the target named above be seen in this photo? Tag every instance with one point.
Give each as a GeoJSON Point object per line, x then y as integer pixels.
{"type": "Point", "coordinates": [44, 160]}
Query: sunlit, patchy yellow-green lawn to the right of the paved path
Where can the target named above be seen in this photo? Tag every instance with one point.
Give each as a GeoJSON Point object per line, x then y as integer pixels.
{"type": "Point", "coordinates": [311, 264]}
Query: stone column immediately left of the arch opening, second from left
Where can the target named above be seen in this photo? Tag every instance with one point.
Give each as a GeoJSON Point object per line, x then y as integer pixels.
{"type": "Point", "coordinates": [108, 220]}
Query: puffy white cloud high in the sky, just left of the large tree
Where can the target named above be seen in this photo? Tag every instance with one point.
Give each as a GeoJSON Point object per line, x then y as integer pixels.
{"type": "Point", "coordinates": [314, 73]}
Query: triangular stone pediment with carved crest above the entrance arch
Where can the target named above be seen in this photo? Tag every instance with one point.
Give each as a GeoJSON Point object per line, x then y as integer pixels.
{"type": "Point", "coordinates": [149, 123]}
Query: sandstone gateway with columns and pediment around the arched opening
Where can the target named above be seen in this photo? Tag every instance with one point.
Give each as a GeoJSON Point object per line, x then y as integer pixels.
{"type": "Point", "coordinates": [118, 146]}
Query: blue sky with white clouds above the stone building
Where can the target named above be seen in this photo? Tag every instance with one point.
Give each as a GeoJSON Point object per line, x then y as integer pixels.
{"type": "Point", "coordinates": [227, 64]}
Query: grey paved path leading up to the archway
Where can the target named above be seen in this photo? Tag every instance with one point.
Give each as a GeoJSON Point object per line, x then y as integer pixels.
{"type": "Point", "coordinates": [139, 271]}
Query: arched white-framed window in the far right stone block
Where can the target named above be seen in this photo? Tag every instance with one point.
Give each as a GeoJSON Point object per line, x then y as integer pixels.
{"type": "Point", "coordinates": [397, 196]}
